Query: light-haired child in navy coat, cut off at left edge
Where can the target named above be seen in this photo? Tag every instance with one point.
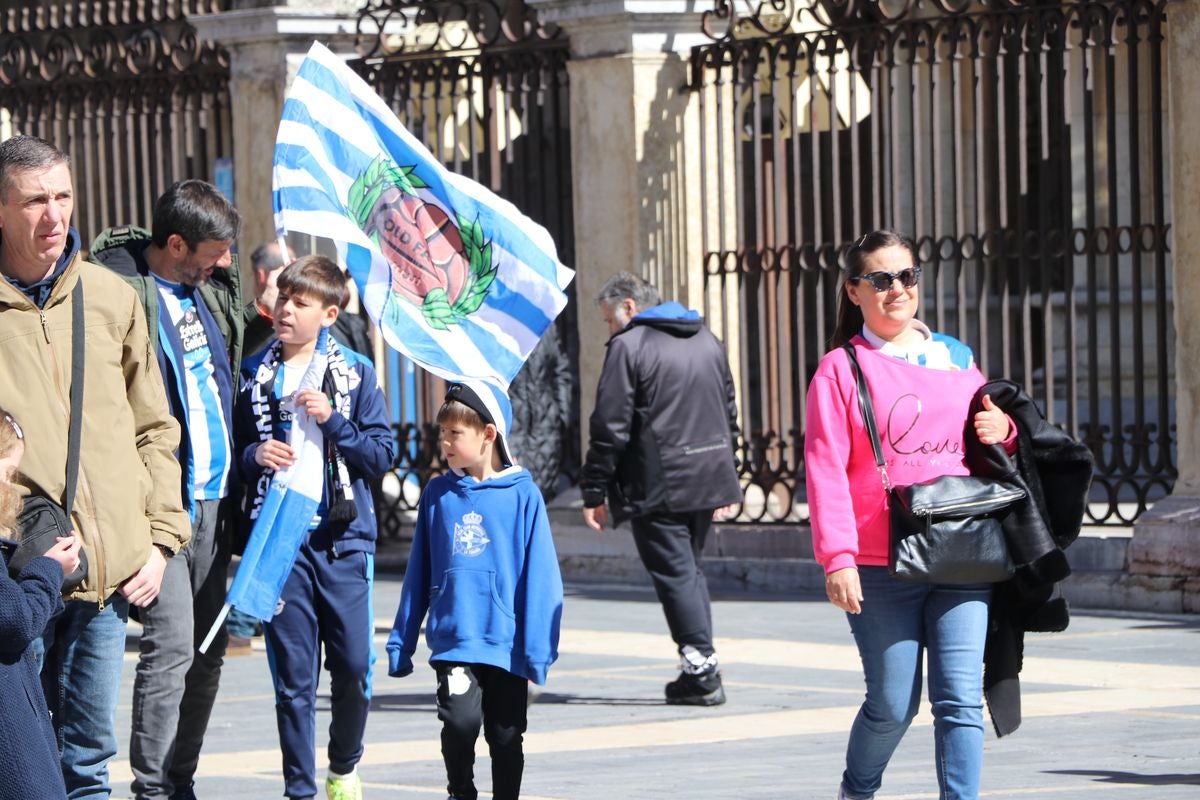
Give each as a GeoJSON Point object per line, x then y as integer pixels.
{"type": "Point", "coordinates": [29, 765]}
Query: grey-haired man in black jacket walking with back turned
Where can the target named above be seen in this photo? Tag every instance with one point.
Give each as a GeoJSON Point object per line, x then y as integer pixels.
{"type": "Point", "coordinates": [662, 453]}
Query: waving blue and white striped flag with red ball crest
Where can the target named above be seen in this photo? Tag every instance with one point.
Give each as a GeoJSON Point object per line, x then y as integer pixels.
{"type": "Point", "coordinates": [457, 278]}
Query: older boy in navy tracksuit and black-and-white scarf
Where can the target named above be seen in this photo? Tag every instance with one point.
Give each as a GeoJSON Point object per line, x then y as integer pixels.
{"type": "Point", "coordinates": [327, 599]}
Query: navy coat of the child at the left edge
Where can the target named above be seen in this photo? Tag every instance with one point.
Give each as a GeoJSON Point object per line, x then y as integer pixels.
{"type": "Point", "coordinates": [29, 767]}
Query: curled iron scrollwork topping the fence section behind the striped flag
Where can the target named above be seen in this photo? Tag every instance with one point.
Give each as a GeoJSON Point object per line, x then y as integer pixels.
{"type": "Point", "coordinates": [399, 28]}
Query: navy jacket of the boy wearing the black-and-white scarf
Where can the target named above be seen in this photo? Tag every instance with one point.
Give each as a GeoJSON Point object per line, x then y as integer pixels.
{"type": "Point", "coordinates": [365, 441]}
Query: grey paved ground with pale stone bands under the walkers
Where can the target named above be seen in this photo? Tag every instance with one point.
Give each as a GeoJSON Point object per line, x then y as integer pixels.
{"type": "Point", "coordinates": [1112, 712]}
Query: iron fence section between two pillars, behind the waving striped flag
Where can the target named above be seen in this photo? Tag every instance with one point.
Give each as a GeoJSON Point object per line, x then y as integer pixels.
{"type": "Point", "coordinates": [485, 88]}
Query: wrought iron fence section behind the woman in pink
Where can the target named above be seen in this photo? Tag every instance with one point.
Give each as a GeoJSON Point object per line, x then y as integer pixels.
{"type": "Point", "coordinates": [1021, 143]}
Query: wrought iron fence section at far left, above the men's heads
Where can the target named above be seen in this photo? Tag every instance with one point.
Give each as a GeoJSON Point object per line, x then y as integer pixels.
{"type": "Point", "coordinates": [128, 91]}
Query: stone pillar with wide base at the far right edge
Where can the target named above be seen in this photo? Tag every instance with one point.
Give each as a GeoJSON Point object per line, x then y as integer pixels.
{"type": "Point", "coordinates": [1166, 548]}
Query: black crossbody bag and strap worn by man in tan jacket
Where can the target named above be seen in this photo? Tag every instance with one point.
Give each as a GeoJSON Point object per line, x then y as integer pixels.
{"type": "Point", "coordinates": [43, 521]}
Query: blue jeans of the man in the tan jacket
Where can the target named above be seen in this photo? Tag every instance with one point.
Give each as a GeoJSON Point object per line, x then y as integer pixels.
{"type": "Point", "coordinates": [83, 652]}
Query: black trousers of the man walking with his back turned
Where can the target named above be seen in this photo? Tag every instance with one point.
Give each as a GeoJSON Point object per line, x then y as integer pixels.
{"type": "Point", "coordinates": [670, 546]}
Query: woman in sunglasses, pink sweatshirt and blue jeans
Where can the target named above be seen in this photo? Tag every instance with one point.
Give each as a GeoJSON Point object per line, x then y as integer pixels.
{"type": "Point", "coordinates": [921, 387]}
